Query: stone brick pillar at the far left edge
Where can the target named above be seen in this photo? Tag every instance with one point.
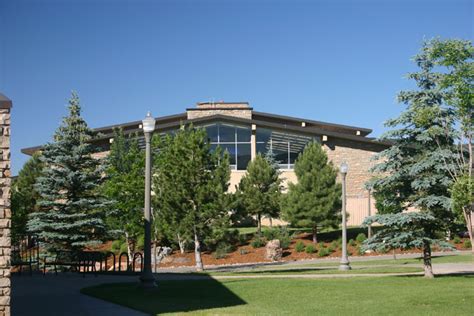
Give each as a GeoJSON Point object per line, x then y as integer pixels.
{"type": "Point", "coordinates": [5, 212]}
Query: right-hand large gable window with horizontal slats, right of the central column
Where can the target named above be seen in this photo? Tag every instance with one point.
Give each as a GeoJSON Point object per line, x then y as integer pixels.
{"type": "Point", "coordinates": [285, 147]}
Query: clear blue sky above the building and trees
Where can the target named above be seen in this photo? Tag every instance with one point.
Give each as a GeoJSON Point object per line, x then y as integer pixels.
{"type": "Point", "coordinates": [335, 61]}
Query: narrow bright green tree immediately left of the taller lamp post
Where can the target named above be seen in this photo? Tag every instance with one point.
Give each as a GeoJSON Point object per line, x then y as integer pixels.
{"type": "Point", "coordinates": [124, 187]}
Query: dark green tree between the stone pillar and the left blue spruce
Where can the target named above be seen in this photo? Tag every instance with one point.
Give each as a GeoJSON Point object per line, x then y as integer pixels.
{"type": "Point", "coordinates": [24, 196]}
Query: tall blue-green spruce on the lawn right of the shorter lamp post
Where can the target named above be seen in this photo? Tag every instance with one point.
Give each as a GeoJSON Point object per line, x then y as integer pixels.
{"type": "Point", "coordinates": [411, 172]}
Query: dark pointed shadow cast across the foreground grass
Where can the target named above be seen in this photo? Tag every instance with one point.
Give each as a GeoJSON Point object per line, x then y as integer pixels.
{"type": "Point", "coordinates": [169, 297]}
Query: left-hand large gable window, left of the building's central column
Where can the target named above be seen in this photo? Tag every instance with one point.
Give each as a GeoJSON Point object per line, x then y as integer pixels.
{"type": "Point", "coordinates": [234, 139]}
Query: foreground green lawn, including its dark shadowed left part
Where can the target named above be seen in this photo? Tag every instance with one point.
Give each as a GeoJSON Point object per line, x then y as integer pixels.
{"type": "Point", "coordinates": [348, 296]}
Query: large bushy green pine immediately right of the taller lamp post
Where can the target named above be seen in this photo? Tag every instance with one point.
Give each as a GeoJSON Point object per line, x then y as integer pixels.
{"type": "Point", "coordinates": [190, 186]}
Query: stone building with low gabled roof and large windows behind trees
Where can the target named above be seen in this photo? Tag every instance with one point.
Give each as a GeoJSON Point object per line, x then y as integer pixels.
{"type": "Point", "coordinates": [243, 132]}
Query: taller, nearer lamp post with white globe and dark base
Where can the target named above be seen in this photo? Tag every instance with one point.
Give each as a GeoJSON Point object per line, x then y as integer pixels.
{"type": "Point", "coordinates": [147, 279]}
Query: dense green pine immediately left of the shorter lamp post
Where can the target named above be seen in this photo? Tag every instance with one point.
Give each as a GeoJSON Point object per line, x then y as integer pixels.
{"type": "Point", "coordinates": [315, 200]}
